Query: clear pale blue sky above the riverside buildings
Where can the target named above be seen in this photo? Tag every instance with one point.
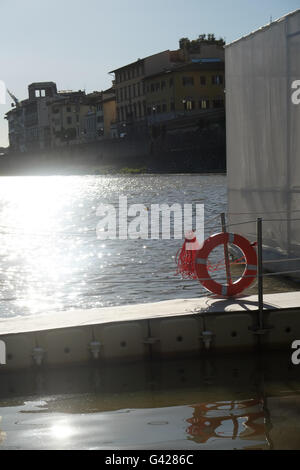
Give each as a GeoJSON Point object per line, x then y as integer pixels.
{"type": "Point", "coordinates": [76, 43]}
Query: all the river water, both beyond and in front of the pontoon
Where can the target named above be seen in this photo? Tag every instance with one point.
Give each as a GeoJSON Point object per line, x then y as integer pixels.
{"type": "Point", "coordinates": [51, 259]}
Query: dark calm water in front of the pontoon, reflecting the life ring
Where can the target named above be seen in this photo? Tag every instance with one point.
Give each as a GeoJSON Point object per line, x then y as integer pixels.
{"type": "Point", "coordinates": [215, 403]}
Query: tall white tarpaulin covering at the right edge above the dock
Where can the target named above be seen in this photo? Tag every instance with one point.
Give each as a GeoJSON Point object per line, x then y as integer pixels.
{"type": "Point", "coordinates": [263, 135]}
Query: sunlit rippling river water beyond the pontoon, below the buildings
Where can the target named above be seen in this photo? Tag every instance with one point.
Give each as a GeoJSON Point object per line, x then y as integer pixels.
{"type": "Point", "coordinates": [51, 258]}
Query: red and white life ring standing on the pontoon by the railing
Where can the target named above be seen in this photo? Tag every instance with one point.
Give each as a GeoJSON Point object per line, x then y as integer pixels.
{"type": "Point", "coordinates": [241, 284]}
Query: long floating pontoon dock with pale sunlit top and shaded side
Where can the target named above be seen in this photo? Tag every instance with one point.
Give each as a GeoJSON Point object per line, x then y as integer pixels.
{"type": "Point", "coordinates": [180, 327]}
